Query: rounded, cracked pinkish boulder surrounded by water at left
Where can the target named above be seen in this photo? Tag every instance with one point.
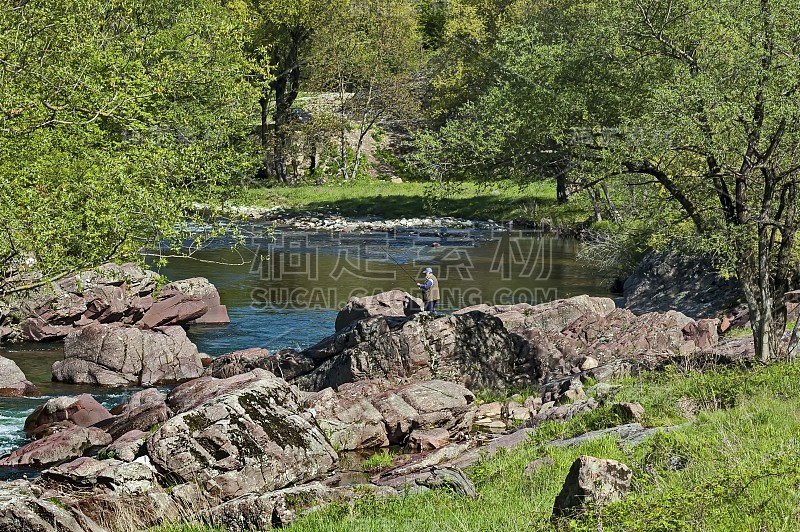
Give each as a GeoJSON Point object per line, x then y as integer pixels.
{"type": "Point", "coordinates": [116, 355]}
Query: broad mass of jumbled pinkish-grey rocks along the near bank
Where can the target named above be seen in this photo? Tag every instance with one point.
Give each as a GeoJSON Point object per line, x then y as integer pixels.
{"type": "Point", "coordinates": [257, 438]}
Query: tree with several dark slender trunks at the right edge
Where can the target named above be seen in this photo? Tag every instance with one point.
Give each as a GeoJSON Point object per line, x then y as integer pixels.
{"type": "Point", "coordinates": [718, 129]}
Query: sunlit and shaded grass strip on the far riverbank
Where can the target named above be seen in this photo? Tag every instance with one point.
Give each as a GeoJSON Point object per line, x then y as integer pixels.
{"type": "Point", "coordinates": [502, 200]}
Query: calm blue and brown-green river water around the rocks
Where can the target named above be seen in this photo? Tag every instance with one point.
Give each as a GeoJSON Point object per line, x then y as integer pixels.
{"type": "Point", "coordinates": [284, 288]}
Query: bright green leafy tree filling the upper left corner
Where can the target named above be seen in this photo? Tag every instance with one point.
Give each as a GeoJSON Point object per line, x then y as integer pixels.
{"type": "Point", "coordinates": [115, 118]}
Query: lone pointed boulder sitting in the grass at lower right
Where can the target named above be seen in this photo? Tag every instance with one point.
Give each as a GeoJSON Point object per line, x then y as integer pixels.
{"type": "Point", "coordinates": [592, 482]}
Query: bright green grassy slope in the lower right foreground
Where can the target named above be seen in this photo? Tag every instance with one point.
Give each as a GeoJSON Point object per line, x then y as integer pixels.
{"type": "Point", "coordinates": [733, 464]}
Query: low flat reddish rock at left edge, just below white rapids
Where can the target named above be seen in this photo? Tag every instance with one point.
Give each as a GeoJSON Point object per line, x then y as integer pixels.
{"type": "Point", "coordinates": [61, 446]}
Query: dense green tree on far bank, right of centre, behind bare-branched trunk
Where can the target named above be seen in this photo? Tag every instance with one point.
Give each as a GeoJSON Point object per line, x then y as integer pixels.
{"type": "Point", "coordinates": [528, 123]}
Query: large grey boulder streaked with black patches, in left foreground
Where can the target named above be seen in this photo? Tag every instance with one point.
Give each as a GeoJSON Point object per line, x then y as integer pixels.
{"type": "Point", "coordinates": [250, 439]}
